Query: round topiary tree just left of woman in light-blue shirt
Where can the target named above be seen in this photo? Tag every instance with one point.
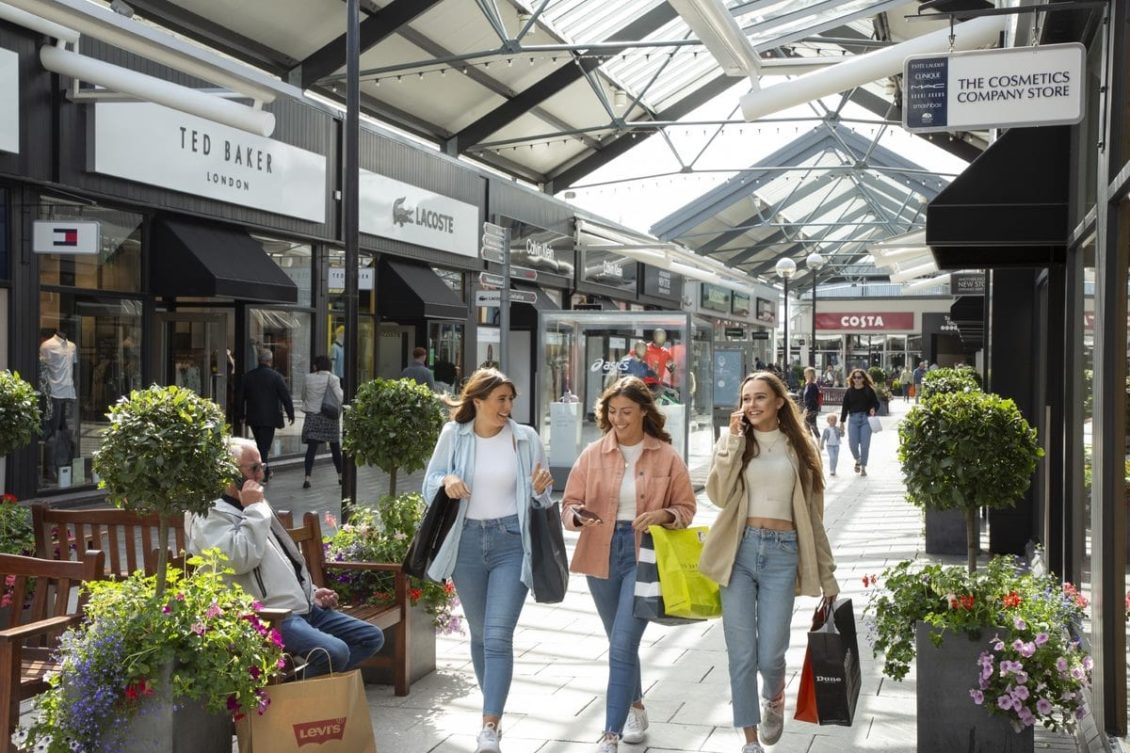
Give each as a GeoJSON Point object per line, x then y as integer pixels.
{"type": "Point", "coordinates": [393, 425]}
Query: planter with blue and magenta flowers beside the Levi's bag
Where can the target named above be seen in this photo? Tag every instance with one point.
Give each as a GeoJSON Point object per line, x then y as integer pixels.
{"type": "Point", "coordinates": [141, 657]}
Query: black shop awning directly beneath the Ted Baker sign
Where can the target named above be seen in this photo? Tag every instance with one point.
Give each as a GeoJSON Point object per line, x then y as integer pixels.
{"type": "Point", "coordinates": [208, 261]}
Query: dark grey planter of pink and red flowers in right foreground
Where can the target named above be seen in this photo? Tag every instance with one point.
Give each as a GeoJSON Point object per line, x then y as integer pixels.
{"type": "Point", "coordinates": [994, 646]}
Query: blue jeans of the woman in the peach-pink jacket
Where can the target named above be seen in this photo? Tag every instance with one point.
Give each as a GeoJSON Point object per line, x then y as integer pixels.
{"type": "Point", "coordinates": [615, 600]}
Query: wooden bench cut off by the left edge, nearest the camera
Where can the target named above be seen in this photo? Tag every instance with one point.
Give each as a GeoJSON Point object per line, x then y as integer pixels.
{"type": "Point", "coordinates": [30, 636]}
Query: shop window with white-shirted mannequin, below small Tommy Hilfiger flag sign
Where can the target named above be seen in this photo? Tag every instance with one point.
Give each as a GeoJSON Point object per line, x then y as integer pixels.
{"type": "Point", "coordinates": [90, 356]}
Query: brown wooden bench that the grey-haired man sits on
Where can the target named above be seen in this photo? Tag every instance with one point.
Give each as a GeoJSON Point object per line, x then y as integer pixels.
{"type": "Point", "coordinates": [132, 542]}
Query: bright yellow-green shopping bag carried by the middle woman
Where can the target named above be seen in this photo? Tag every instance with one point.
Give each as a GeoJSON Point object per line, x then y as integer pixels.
{"type": "Point", "coordinates": [686, 592]}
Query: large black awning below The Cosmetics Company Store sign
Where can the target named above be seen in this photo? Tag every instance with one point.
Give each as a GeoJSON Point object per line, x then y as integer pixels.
{"type": "Point", "coordinates": [1010, 209]}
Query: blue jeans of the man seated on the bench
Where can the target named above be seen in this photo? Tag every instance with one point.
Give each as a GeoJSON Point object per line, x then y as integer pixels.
{"type": "Point", "coordinates": [349, 642]}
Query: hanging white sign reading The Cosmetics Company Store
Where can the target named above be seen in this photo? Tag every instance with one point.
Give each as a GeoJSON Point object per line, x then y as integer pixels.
{"type": "Point", "coordinates": [995, 89]}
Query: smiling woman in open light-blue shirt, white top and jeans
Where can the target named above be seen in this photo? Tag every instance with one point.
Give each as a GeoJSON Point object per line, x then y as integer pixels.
{"type": "Point", "coordinates": [496, 470]}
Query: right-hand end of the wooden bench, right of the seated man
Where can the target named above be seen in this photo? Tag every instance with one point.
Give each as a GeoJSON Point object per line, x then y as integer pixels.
{"type": "Point", "coordinates": [393, 619]}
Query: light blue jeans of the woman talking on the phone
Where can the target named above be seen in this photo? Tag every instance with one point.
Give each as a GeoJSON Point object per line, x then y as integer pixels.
{"type": "Point", "coordinates": [757, 616]}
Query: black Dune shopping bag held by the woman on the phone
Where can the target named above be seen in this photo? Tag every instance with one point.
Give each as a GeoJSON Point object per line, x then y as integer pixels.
{"type": "Point", "coordinates": [836, 667]}
